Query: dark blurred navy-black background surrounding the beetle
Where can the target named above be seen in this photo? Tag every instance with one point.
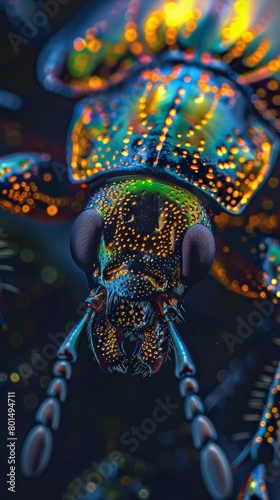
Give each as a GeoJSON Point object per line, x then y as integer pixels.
{"type": "Point", "coordinates": [99, 407]}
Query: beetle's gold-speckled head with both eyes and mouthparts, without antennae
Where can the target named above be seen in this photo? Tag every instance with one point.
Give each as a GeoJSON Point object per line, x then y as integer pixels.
{"type": "Point", "coordinates": [144, 245]}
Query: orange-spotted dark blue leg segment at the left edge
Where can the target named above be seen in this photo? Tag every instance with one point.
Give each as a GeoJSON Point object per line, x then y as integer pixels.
{"type": "Point", "coordinates": [34, 185]}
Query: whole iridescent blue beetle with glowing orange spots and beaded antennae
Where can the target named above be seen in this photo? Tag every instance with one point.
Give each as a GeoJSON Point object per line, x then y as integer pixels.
{"type": "Point", "coordinates": [177, 131]}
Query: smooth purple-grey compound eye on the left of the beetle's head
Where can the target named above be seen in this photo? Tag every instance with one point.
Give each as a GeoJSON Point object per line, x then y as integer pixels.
{"type": "Point", "coordinates": [85, 238]}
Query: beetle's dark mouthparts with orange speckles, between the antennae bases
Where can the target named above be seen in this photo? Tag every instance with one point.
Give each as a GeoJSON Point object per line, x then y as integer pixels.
{"type": "Point", "coordinates": [137, 323]}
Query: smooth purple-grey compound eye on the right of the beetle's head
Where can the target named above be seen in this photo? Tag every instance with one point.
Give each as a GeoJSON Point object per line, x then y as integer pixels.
{"type": "Point", "coordinates": [198, 252]}
